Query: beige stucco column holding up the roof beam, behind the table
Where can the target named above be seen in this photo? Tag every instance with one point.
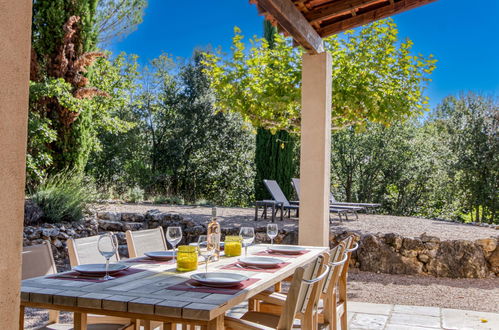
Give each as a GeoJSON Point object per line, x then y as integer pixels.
{"type": "Point", "coordinates": [315, 150]}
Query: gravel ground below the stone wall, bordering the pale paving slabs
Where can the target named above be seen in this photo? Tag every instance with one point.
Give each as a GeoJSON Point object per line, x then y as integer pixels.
{"type": "Point", "coordinates": [468, 294]}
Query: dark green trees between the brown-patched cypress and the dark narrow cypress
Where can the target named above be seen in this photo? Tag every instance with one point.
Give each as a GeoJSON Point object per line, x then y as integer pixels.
{"type": "Point", "coordinates": [180, 146]}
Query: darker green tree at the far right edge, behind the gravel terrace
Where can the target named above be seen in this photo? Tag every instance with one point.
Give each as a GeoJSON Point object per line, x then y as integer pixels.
{"type": "Point", "coordinates": [471, 123]}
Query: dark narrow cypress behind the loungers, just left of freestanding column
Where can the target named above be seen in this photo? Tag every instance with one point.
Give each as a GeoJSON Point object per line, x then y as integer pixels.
{"type": "Point", "coordinates": [274, 156]}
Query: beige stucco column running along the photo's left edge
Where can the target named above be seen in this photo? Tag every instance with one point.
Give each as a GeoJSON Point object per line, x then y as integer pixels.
{"type": "Point", "coordinates": [15, 45]}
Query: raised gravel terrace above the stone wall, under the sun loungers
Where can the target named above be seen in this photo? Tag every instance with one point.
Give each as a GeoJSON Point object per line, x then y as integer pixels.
{"type": "Point", "coordinates": [367, 223]}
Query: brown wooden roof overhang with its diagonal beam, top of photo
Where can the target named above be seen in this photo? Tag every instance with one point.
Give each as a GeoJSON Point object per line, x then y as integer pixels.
{"type": "Point", "coordinates": [308, 21]}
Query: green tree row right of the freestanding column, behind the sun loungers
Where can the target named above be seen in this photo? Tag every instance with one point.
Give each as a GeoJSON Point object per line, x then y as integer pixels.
{"type": "Point", "coordinates": [445, 166]}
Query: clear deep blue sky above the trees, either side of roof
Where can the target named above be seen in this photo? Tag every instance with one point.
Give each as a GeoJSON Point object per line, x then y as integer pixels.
{"type": "Point", "coordinates": [463, 35]}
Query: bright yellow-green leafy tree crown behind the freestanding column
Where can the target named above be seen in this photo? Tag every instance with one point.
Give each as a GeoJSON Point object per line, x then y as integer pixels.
{"type": "Point", "coordinates": [376, 79]}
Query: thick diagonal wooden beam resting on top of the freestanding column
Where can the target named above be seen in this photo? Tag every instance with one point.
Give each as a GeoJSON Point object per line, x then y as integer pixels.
{"type": "Point", "coordinates": [293, 21]}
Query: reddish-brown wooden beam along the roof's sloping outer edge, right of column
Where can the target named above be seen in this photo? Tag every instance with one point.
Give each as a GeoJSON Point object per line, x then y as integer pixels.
{"type": "Point", "coordinates": [370, 16]}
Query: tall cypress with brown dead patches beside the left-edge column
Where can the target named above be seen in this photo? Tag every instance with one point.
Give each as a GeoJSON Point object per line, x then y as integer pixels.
{"type": "Point", "coordinates": [64, 39]}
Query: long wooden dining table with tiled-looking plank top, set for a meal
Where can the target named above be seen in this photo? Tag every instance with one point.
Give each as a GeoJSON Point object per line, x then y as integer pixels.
{"type": "Point", "coordinates": [156, 291]}
